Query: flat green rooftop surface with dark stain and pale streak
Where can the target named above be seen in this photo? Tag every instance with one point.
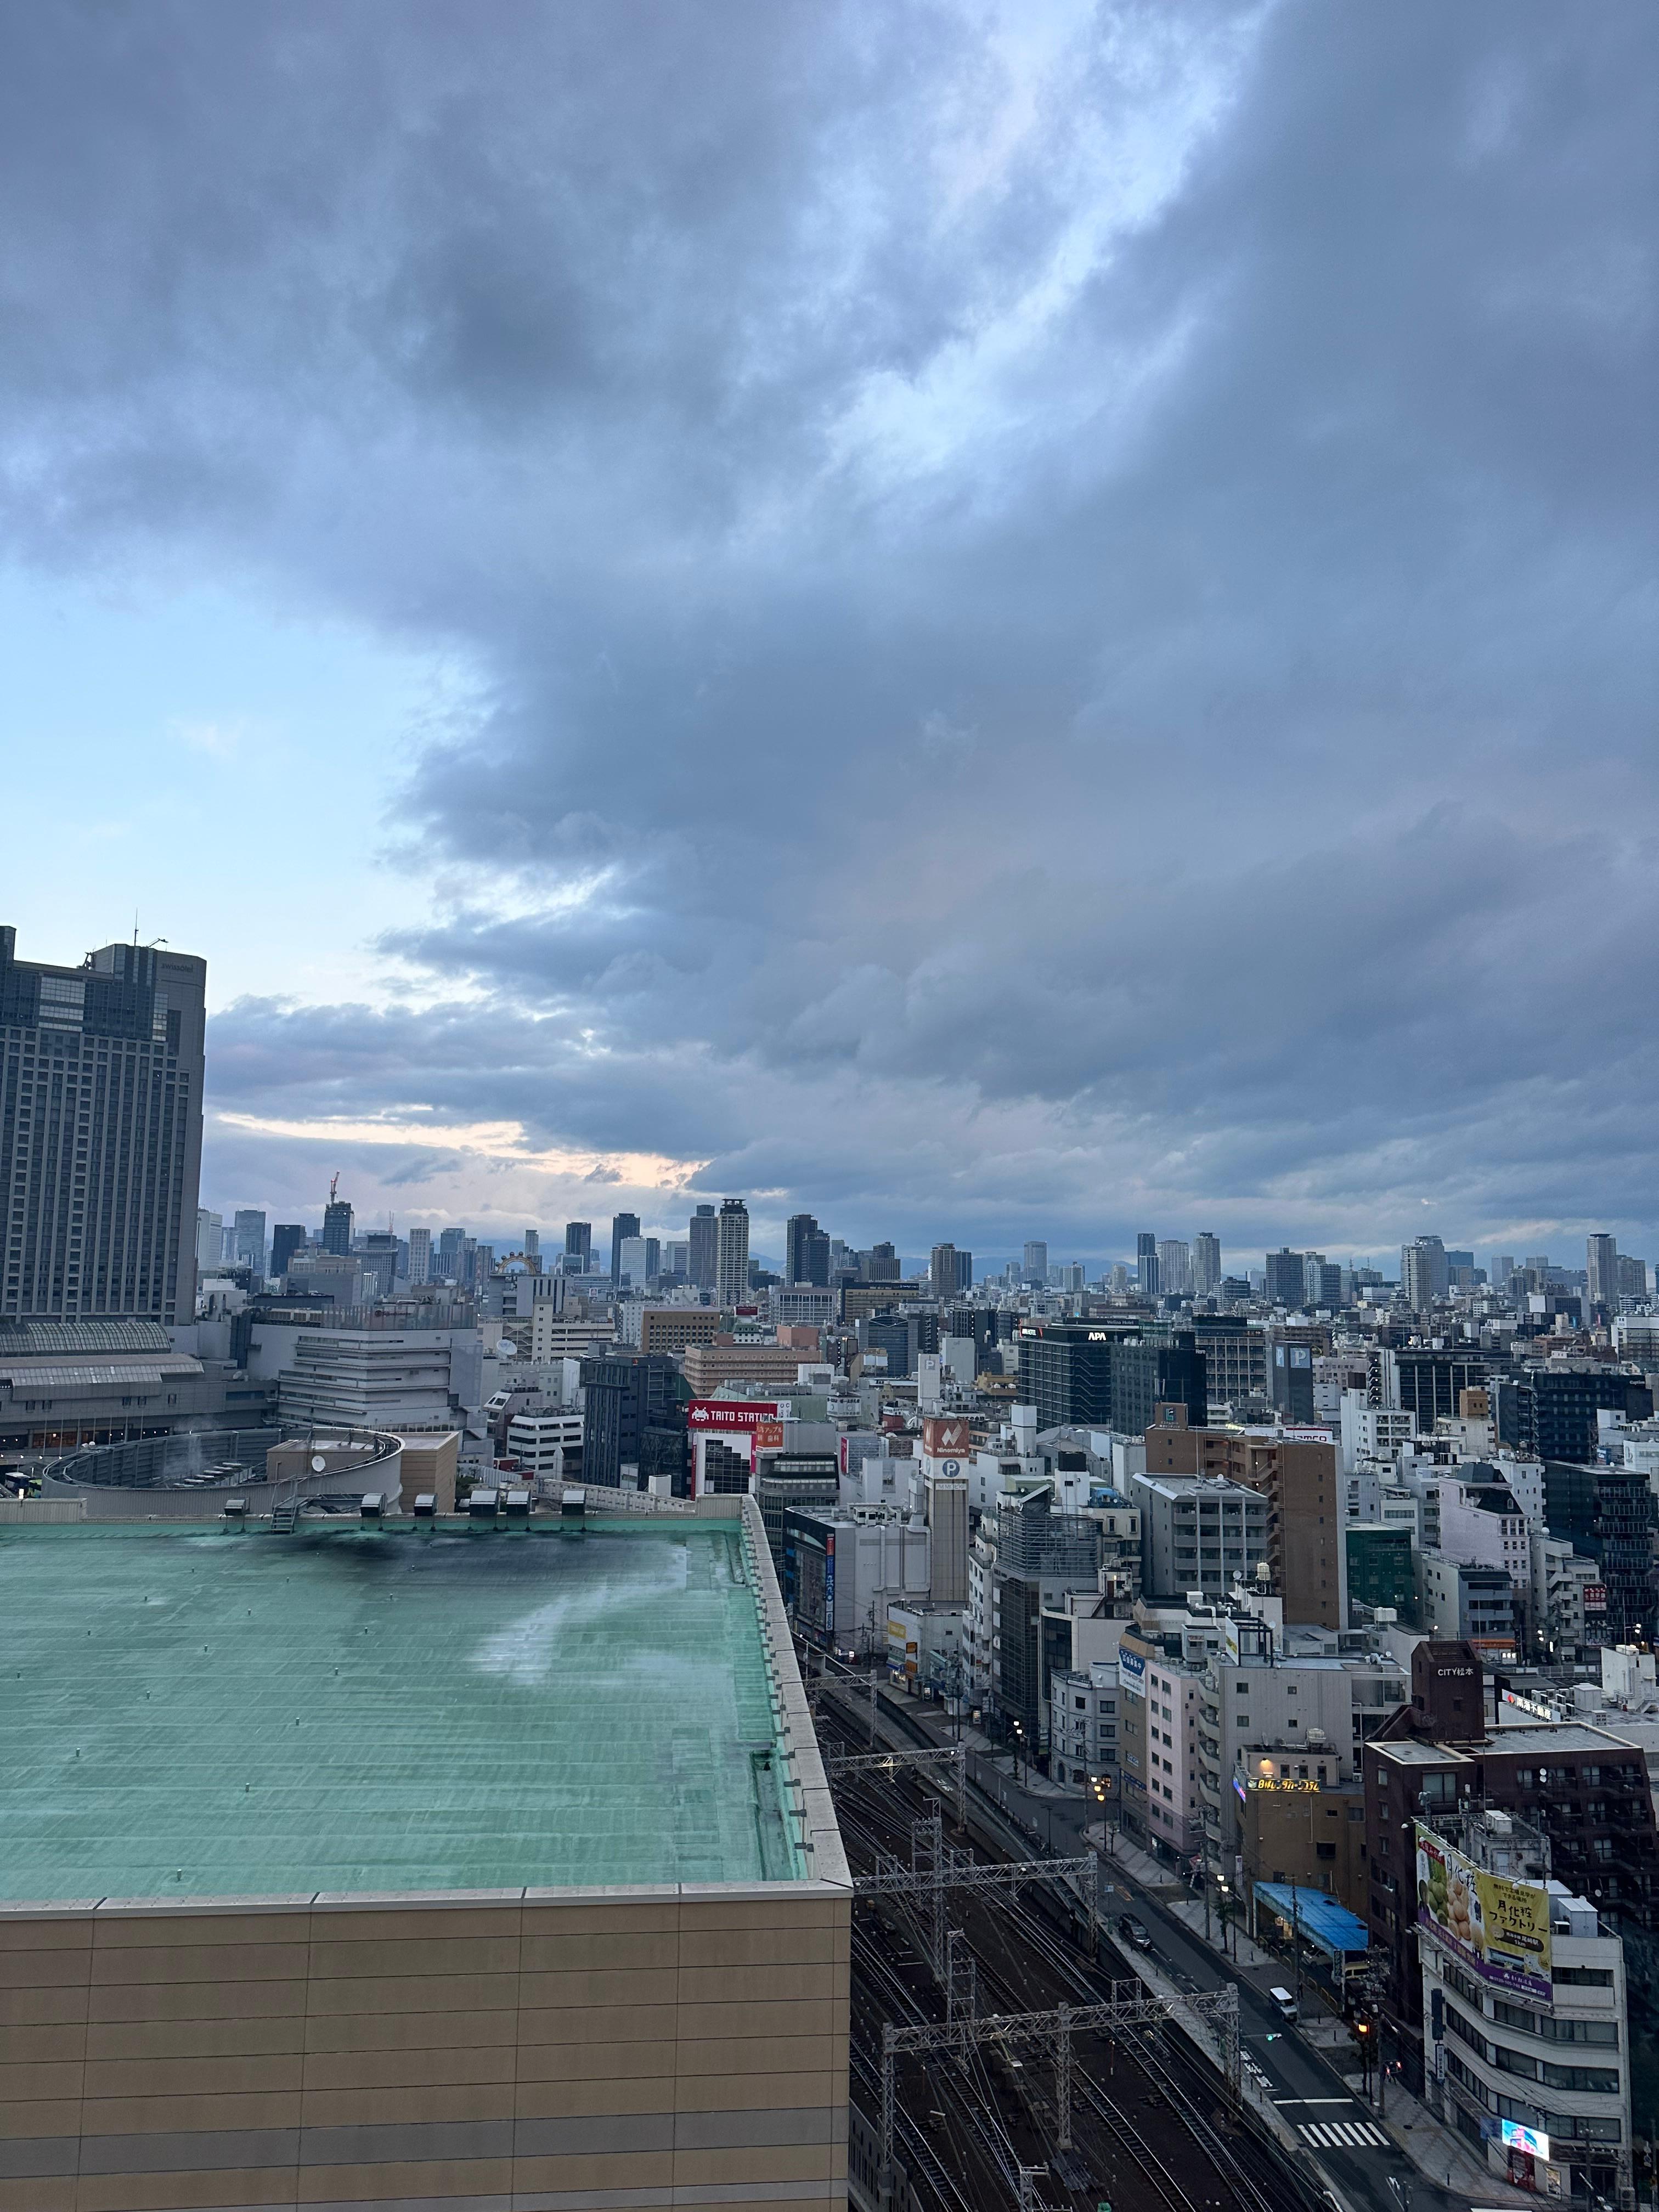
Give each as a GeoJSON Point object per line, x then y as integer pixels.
{"type": "Point", "coordinates": [198, 1713]}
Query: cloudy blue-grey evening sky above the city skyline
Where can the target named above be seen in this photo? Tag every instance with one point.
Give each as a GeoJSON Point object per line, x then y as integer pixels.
{"type": "Point", "coordinates": [985, 620]}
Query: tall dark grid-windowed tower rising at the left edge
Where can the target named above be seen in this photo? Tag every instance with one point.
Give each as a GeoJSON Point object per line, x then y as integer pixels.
{"type": "Point", "coordinates": [101, 1134]}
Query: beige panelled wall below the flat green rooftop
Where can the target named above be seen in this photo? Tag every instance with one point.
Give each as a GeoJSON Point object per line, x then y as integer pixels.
{"type": "Point", "coordinates": [541, 2049]}
